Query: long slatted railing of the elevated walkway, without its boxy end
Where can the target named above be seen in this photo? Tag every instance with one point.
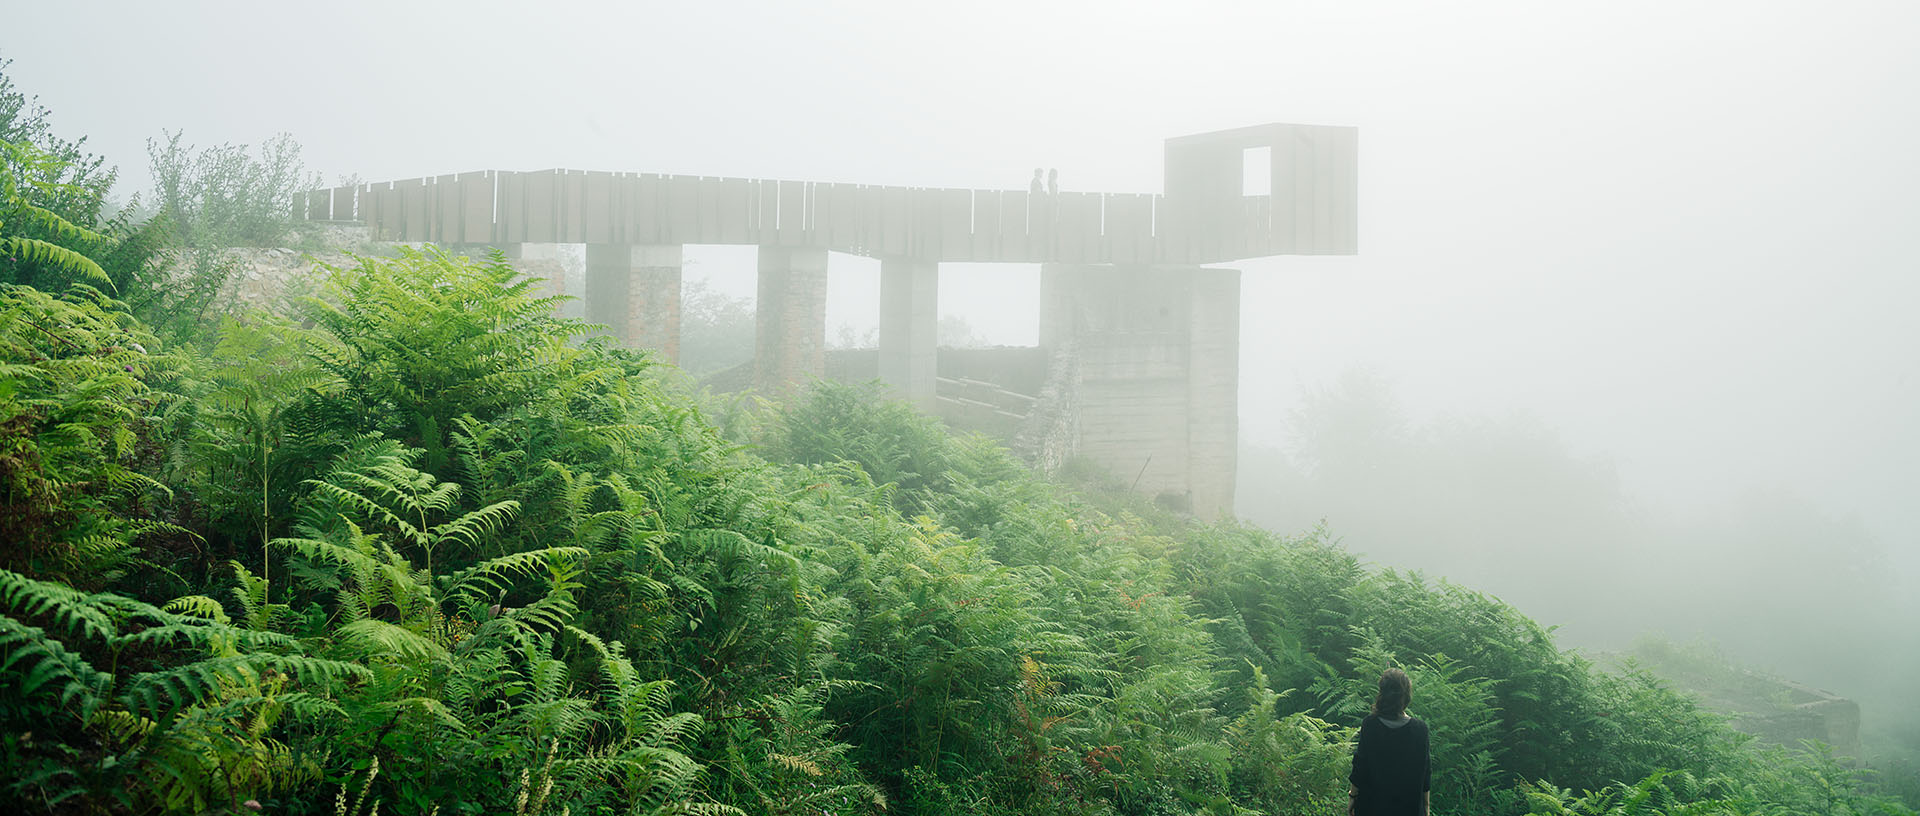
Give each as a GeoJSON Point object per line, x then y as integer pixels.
{"type": "Point", "coordinates": [863, 220]}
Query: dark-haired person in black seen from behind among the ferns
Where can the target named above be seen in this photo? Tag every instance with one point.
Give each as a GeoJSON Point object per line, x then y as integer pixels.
{"type": "Point", "coordinates": [1391, 767]}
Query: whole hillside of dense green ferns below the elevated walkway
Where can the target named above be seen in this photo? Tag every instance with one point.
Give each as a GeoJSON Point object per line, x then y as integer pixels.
{"type": "Point", "coordinates": [429, 550]}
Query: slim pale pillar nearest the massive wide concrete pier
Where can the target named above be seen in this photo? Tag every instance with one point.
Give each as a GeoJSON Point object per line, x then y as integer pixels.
{"type": "Point", "coordinates": [909, 327]}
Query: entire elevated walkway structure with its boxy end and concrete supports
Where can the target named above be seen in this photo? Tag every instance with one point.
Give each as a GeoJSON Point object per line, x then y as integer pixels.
{"type": "Point", "coordinates": [1141, 335]}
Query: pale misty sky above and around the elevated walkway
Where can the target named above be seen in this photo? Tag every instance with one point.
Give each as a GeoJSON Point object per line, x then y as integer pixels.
{"type": "Point", "coordinates": [1683, 235]}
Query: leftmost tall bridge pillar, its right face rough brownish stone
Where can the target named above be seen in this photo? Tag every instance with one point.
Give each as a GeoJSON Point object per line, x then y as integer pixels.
{"type": "Point", "coordinates": [635, 291]}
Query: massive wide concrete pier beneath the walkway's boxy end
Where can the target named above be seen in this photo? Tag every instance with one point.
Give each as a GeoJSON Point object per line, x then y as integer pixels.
{"type": "Point", "coordinates": [1159, 375]}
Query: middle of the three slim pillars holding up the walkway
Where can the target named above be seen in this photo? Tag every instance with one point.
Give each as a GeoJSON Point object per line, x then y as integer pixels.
{"type": "Point", "coordinates": [790, 318]}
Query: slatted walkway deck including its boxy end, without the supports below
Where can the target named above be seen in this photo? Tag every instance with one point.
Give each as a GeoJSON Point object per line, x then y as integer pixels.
{"type": "Point", "coordinates": [1308, 212]}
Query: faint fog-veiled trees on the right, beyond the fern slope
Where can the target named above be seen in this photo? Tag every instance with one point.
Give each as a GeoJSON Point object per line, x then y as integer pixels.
{"type": "Point", "coordinates": [1500, 504]}
